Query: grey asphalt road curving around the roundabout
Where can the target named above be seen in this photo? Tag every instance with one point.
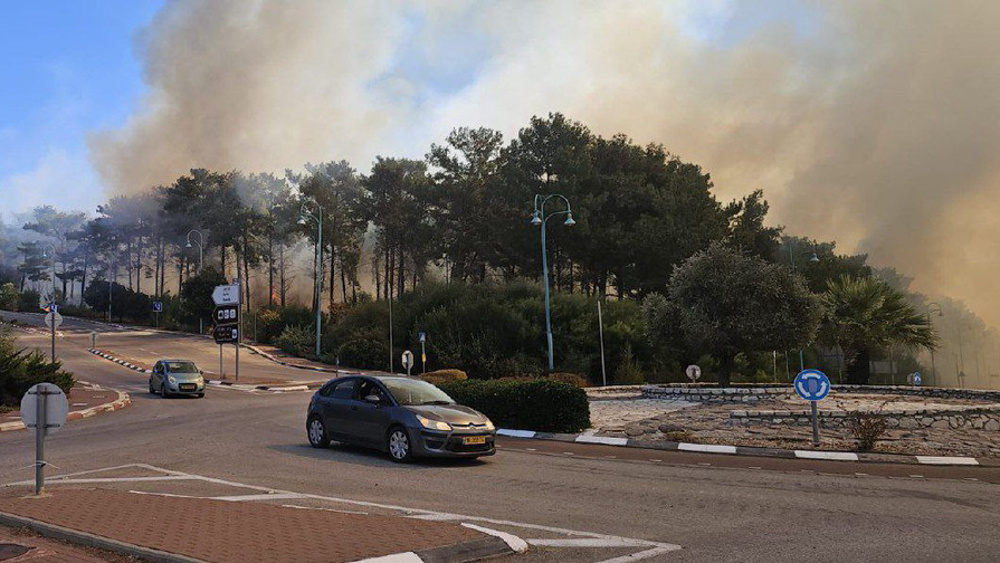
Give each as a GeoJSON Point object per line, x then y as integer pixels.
{"type": "Point", "coordinates": [716, 508]}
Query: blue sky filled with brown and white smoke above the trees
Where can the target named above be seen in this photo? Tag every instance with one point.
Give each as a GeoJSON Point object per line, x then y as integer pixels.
{"type": "Point", "coordinates": [870, 123]}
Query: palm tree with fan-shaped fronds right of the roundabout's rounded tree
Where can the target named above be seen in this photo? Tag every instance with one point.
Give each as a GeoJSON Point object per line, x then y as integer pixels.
{"type": "Point", "coordinates": [866, 312]}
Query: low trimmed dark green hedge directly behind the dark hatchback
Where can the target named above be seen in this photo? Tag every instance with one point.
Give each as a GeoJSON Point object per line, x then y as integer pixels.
{"type": "Point", "coordinates": [538, 404]}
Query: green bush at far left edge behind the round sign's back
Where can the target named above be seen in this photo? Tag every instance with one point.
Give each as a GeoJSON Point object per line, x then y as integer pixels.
{"type": "Point", "coordinates": [19, 370]}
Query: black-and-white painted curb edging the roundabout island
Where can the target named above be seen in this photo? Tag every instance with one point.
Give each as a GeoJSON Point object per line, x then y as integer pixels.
{"type": "Point", "coordinates": [744, 450]}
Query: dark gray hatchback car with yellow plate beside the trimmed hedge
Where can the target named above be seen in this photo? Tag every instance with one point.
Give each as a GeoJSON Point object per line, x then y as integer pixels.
{"type": "Point", "coordinates": [404, 416]}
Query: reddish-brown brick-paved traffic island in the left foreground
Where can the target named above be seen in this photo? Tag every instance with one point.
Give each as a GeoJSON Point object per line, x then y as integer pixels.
{"type": "Point", "coordinates": [169, 528]}
